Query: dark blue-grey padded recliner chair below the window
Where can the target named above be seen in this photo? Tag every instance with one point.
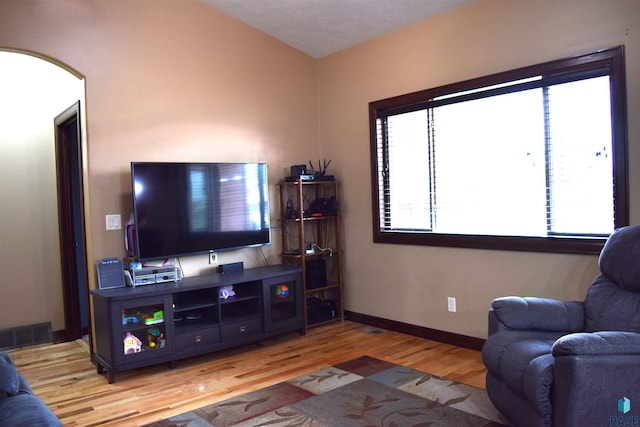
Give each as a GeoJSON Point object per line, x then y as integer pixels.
{"type": "Point", "coordinates": [571, 363]}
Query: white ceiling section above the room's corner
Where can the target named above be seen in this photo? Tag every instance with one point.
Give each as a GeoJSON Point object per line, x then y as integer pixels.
{"type": "Point", "coordinates": [323, 27]}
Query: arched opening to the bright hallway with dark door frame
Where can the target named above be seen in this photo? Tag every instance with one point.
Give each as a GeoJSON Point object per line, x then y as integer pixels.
{"type": "Point", "coordinates": [33, 256]}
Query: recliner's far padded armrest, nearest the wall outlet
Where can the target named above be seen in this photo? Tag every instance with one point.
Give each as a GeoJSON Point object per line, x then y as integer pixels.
{"type": "Point", "coordinates": [543, 314]}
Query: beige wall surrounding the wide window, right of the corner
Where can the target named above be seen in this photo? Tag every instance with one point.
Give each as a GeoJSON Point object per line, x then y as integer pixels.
{"type": "Point", "coordinates": [411, 283]}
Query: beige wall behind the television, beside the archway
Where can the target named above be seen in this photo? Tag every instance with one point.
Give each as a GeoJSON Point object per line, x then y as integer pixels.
{"type": "Point", "coordinates": [173, 81]}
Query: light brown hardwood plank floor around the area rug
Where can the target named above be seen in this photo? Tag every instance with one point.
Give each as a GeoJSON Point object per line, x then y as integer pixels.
{"type": "Point", "coordinates": [63, 376]}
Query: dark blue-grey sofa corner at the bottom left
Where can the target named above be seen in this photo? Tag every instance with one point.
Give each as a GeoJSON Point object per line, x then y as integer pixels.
{"type": "Point", "coordinates": [19, 407]}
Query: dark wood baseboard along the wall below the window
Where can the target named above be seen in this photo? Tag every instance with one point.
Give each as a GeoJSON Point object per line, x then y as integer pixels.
{"type": "Point", "coordinates": [417, 331]}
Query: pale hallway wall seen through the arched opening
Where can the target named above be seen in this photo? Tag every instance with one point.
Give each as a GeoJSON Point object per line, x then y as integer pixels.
{"type": "Point", "coordinates": [33, 93]}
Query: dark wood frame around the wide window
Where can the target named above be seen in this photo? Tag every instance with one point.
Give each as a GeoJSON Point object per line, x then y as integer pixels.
{"type": "Point", "coordinates": [611, 58]}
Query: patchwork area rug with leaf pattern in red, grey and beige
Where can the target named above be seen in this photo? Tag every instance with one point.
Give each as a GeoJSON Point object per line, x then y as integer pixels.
{"type": "Point", "coordinates": [362, 392]}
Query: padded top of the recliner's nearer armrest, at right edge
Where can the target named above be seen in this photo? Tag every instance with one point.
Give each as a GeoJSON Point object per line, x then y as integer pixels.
{"type": "Point", "coordinates": [597, 344]}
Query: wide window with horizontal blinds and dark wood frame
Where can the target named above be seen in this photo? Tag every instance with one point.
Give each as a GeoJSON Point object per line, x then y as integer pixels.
{"type": "Point", "coordinates": [529, 159]}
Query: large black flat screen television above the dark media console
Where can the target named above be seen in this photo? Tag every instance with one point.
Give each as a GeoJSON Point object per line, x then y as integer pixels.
{"type": "Point", "coordinates": [191, 208]}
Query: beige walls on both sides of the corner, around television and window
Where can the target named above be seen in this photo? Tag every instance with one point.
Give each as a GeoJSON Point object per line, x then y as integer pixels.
{"type": "Point", "coordinates": [174, 80]}
